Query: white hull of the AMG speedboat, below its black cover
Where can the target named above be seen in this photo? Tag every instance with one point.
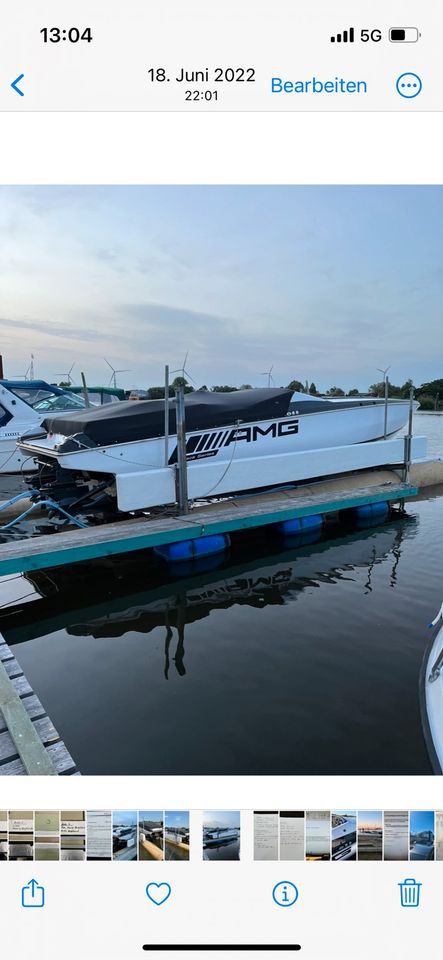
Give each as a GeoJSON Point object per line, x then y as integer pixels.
{"type": "Point", "coordinates": [237, 457]}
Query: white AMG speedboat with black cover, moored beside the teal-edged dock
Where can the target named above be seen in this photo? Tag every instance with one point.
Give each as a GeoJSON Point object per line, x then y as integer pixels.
{"type": "Point", "coordinates": [234, 442]}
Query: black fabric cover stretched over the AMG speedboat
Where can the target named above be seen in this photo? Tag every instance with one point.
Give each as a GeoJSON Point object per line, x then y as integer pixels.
{"type": "Point", "coordinates": [130, 420]}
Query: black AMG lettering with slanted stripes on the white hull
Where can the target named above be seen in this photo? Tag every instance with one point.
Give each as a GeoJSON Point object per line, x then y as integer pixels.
{"type": "Point", "coordinates": [202, 445]}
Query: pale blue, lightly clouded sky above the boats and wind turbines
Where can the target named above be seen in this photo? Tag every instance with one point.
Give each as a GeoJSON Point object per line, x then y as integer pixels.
{"type": "Point", "coordinates": [324, 284]}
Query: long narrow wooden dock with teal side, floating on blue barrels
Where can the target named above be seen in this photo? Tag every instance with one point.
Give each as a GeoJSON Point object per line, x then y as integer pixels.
{"type": "Point", "coordinates": [225, 516]}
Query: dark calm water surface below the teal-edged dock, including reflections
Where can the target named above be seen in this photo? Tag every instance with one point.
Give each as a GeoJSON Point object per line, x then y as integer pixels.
{"type": "Point", "coordinates": [280, 659]}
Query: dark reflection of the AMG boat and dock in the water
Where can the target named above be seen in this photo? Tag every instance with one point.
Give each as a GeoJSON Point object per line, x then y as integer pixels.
{"type": "Point", "coordinates": [111, 599]}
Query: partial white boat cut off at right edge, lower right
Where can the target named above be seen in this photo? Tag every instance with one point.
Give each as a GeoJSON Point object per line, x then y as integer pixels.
{"type": "Point", "coordinates": [431, 690]}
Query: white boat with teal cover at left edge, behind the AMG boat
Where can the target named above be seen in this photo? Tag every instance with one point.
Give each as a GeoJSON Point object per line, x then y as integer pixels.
{"type": "Point", "coordinates": [23, 406]}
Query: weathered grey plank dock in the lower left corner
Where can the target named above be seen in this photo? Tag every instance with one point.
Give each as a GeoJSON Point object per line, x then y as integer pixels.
{"type": "Point", "coordinates": [29, 742]}
